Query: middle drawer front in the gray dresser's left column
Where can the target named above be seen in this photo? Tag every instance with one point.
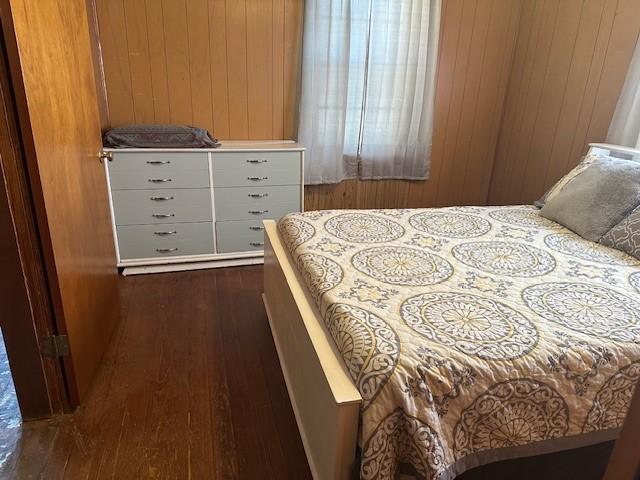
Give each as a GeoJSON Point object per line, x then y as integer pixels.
{"type": "Point", "coordinates": [137, 207]}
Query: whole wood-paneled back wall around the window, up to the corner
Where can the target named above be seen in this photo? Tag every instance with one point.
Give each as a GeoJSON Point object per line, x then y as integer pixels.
{"type": "Point", "coordinates": [252, 80]}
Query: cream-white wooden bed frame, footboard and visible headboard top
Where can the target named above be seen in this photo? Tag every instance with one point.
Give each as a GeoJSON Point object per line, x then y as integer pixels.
{"type": "Point", "coordinates": [325, 401]}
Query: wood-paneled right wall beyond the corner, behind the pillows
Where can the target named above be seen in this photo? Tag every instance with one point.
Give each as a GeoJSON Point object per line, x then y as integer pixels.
{"type": "Point", "coordinates": [570, 64]}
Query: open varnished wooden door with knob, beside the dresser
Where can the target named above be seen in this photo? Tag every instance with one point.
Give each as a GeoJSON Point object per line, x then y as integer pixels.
{"type": "Point", "coordinates": [53, 76]}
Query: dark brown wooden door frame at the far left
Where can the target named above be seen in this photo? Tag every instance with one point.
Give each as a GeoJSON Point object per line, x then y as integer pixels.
{"type": "Point", "coordinates": [39, 381]}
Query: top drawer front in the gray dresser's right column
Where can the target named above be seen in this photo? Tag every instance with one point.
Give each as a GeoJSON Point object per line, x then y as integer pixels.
{"type": "Point", "coordinates": [256, 168]}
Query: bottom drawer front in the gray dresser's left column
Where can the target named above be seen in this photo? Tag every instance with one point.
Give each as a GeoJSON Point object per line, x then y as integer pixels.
{"type": "Point", "coordinates": [169, 240]}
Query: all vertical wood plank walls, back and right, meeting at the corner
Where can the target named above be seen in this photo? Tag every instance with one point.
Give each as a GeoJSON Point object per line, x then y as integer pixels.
{"type": "Point", "coordinates": [528, 82]}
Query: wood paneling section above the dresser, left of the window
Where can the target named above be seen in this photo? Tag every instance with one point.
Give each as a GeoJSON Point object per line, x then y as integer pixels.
{"type": "Point", "coordinates": [230, 66]}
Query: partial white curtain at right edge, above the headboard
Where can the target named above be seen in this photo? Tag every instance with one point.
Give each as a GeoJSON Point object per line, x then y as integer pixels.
{"type": "Point", "coordinates": [625, 126]}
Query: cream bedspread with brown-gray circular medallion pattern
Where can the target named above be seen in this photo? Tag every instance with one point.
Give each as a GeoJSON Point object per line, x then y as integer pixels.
{"type": "Point", "coordinates": [473, 334]}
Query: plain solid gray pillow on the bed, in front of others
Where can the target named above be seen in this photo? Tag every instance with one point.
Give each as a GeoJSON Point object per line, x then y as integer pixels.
{"type": "Point", "coordinates": [597, 199]}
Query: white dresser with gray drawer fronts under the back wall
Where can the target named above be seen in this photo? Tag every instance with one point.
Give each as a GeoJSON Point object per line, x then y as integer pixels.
{"type": "Point", "coordinates": [183, 209]}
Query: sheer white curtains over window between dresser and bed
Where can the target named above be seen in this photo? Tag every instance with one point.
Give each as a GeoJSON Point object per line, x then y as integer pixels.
{"type": "Point", "coordinates": [368, 81]}
